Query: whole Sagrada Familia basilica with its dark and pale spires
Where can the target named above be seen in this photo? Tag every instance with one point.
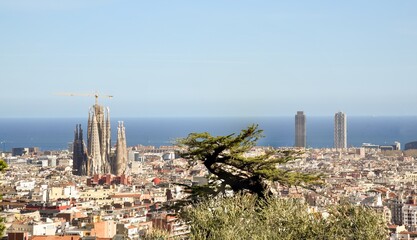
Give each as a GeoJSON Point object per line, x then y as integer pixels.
{"type": "Point", "coordinates": [97, 158]}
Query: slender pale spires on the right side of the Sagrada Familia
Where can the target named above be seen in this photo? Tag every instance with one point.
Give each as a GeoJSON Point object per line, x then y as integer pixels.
{"type": "Point", "coordinates": [120, 165]}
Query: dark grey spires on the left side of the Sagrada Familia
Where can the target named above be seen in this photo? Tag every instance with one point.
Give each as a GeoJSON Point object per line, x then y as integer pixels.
{"type": "Point", "coordinates": [80, 159]}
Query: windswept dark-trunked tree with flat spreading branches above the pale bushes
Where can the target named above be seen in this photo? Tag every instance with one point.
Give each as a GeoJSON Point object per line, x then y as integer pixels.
{"type": "Point", "coordinates": [226, 160]}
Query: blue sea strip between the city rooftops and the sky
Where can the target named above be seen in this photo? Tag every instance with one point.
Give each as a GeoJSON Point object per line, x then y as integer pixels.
{"type": "Point", "coordinates": [56, 133]}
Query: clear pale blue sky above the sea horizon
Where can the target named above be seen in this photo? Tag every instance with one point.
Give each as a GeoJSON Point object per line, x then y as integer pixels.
{"type": "Point", "coordinates": [208, 58]}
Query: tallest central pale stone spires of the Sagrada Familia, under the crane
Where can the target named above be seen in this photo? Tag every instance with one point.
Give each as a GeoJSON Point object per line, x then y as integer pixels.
{"type": "Point", "coordinates": [98, 140]}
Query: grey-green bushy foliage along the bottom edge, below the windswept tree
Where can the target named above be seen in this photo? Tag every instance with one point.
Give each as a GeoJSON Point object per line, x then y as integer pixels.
{"type": "Point", "coordinates": [243, 217]}
